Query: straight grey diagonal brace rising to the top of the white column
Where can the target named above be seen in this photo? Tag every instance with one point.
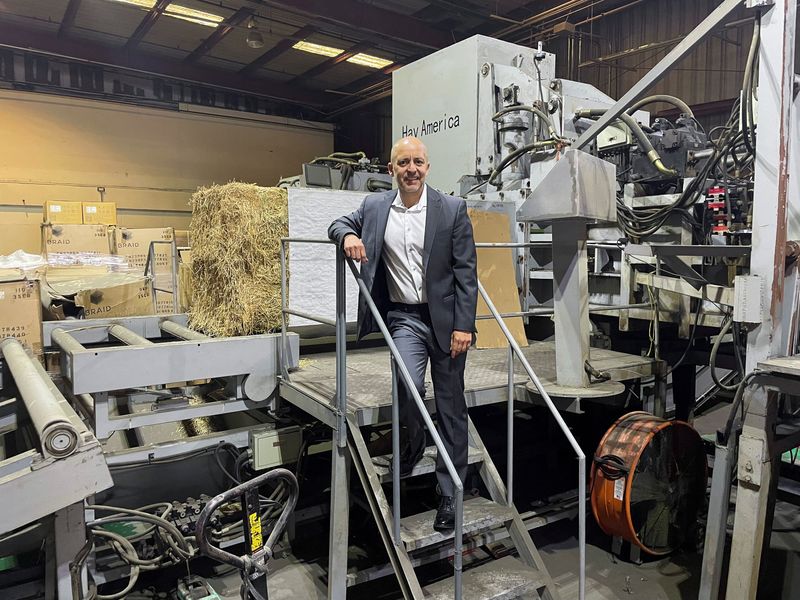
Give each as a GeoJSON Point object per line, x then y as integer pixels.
{"type": "Point", "coordinates": [684, 47]}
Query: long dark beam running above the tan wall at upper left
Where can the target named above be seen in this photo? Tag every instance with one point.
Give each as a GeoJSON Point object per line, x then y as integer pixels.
{"type": "Point", "coordinates": [13, 36]}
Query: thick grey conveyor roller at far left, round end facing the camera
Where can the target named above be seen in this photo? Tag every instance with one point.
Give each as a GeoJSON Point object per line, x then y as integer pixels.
{"type": "Point", "coordinates": [58, 436]}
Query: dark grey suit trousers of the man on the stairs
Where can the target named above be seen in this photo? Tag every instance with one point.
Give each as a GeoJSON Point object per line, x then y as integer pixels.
{"type": "Point", "coordinates": [411, 331]}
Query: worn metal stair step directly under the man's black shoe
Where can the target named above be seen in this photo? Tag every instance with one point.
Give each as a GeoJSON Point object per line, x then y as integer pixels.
{"type": "Point", "coordinates": [480, 514]}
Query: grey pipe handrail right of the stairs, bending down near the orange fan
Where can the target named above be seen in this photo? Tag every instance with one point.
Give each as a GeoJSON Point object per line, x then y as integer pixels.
{"type": "Point", "coordinates": [565, 430]}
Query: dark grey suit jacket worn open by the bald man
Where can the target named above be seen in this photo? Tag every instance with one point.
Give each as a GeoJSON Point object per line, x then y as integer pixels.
{"type": "Point", "coordinates": [448, 261]}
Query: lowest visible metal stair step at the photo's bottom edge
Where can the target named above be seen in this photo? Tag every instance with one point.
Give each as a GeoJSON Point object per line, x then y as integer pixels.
{"type": "Point", "coordinates": [501, 579]}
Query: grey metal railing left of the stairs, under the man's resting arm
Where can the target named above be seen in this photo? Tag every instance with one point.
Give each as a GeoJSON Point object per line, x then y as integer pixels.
{"type": "Point", "coordinates": [396, 364]}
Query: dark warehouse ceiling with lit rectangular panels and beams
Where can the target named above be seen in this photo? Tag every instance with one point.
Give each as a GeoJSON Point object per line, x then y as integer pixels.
{"type": "Point", "coordinates": [349, 47]}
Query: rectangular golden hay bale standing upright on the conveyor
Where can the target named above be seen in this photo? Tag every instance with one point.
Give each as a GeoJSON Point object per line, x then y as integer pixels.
{"type": "Point", "coordinates": [236, 272]}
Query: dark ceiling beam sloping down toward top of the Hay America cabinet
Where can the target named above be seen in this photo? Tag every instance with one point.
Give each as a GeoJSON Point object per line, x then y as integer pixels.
{"type": "Point", "coordinates": [364, 17]}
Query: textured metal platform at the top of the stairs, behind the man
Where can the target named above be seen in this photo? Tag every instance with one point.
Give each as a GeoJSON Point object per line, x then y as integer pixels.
{"type": "Point", "coordinates": [313, 385]}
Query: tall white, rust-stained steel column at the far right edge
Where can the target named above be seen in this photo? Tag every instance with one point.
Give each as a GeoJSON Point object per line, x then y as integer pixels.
{"type": "Point", "coordinates": [755, 472]}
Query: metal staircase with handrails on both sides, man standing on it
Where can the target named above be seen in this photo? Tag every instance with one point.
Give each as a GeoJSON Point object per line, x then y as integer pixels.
{"type": "Point", "coordinates": [478, 519]}
